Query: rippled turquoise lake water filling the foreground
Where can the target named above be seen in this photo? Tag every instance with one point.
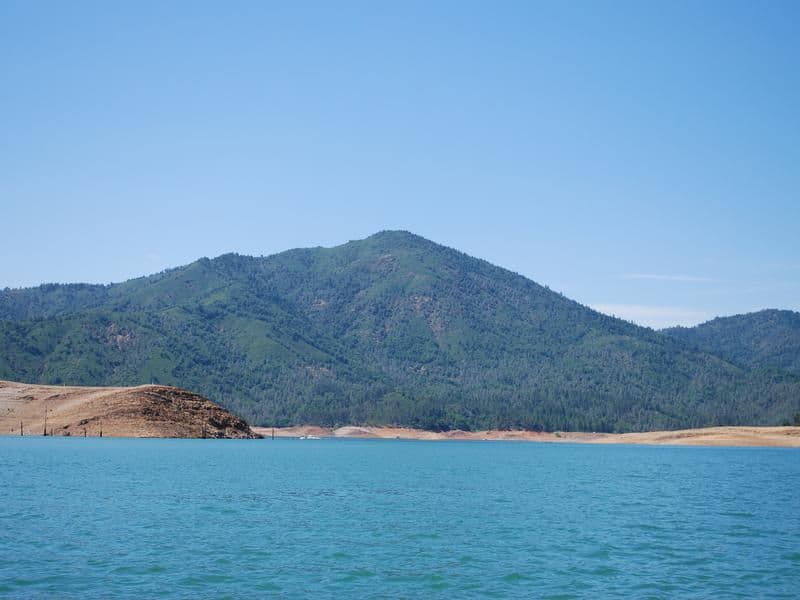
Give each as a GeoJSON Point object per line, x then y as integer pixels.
{"type": "Point", "coordinates": [99, 518]}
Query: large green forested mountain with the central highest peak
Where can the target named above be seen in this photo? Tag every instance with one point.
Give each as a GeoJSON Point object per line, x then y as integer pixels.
{"type": "Point", "coordinates": [393, 329]}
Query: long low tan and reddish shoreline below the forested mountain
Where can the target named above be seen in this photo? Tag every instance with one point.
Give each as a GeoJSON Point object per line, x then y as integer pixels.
{"type": "Point", "coordinates": [743, 436]}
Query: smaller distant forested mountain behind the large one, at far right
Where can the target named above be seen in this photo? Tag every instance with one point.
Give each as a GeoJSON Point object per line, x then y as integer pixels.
{"type": "Point", "coordinates": [768, 339]}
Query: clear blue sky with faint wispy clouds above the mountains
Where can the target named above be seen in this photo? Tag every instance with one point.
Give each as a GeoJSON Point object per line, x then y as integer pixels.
{"type": "Point", "coordinates": [642, 158]}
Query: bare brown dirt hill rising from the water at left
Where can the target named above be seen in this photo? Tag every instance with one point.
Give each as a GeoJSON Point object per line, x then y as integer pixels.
{"type": "Point", "coordinates": [143, 411]}
